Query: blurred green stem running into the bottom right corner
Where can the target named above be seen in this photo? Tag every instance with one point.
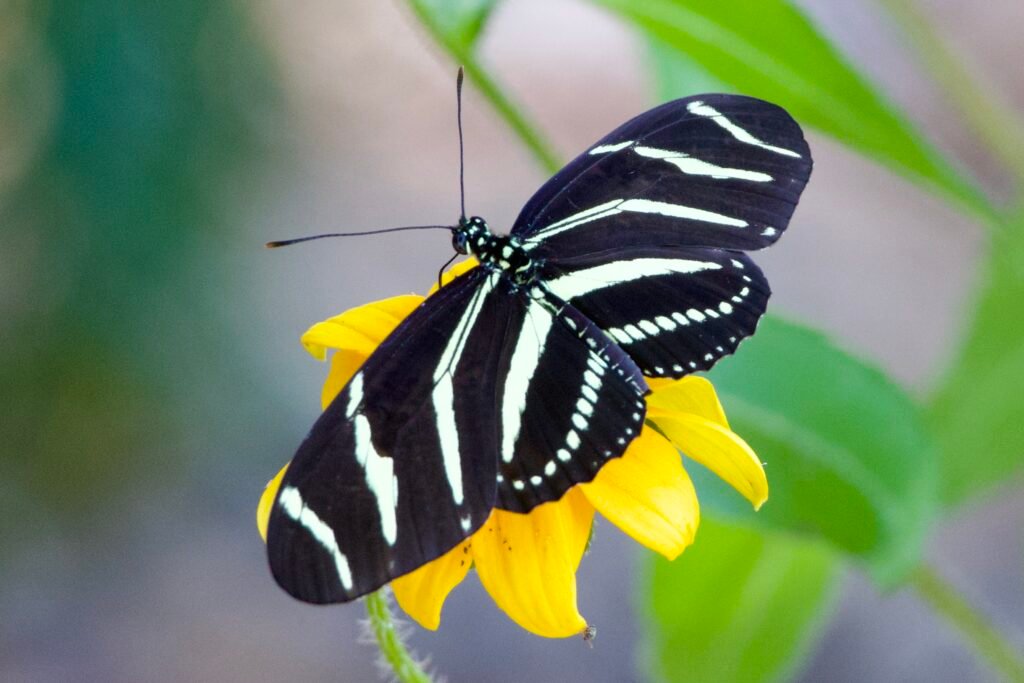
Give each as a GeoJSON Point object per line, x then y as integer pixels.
{"type": "Point", "coordinates": [987, 641]}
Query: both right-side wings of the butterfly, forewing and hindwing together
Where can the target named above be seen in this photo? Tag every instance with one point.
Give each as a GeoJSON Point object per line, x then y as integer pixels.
{"type": "Point", "coordinates": [645, 232]}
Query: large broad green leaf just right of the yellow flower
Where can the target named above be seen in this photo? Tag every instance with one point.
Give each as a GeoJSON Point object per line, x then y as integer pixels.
{"type": "Point", "coordinates": [846, 452]}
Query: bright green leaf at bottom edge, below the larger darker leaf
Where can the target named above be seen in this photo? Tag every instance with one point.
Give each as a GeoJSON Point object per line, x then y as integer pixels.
{"type": "Point", "coordinates": [740, 606]}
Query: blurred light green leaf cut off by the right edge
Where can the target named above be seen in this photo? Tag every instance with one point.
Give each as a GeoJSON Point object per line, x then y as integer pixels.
{"type": "Point", "coordinates": [977, 414]}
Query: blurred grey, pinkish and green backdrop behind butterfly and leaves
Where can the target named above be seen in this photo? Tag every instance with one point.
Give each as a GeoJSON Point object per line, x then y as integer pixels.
{"type": "Point", "coordinates": [151, 373]}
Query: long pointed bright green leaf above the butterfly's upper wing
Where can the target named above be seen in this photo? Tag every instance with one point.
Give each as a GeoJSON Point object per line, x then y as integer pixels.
{"type": "Point", "coordinates": [769, 49]}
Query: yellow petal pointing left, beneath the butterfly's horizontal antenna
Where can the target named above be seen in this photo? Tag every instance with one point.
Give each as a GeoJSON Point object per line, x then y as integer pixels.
{"type": "Point", "coordinates": [360, 330]}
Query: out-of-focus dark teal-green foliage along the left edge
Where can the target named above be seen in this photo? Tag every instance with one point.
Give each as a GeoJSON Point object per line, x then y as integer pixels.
{"type": "Point", "coordinates": [159, 114]}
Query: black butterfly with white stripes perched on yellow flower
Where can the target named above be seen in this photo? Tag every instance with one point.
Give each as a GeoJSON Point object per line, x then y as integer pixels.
{"type": "Point", "coordinates": [524, 376]}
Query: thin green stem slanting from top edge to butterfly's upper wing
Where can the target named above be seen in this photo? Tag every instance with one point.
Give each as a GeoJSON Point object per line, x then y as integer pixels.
{"type": "Point", "coordinates": [481, 78]}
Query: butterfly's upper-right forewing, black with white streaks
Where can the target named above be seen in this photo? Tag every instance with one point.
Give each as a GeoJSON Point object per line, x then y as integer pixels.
{"type": "Point", "coordinates": [711, 170]}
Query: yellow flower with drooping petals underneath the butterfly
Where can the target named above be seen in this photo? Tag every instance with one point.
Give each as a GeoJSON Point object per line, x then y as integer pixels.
{"type": "Point", "coordinates": [528, 563]}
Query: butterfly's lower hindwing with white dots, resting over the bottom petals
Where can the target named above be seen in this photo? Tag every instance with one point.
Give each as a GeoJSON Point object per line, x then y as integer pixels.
{"type": "Point", "coordinates": [571, 400]}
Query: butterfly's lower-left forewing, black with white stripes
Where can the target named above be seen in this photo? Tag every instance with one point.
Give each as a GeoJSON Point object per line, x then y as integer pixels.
{"type": "Point", "coordinates": [402, 465]}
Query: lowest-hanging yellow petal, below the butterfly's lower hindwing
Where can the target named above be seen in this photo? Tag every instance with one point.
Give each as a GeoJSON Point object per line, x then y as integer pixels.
{"type": "Point", "coordinates": [528, 564]}
